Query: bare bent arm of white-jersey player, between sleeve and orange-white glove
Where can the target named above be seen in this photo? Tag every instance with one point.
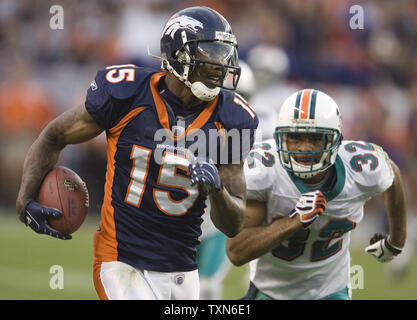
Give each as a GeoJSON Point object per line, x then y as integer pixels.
{"type": "Point", "coordinates": [257, 239]}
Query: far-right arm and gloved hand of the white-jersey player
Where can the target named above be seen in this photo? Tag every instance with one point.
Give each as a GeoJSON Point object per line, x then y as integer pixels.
{"type": "Point", "coordinates": [385, 247]}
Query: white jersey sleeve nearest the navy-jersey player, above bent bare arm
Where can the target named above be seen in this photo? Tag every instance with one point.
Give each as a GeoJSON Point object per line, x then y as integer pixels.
{"type": "Point", "coordinates": [259, 172]}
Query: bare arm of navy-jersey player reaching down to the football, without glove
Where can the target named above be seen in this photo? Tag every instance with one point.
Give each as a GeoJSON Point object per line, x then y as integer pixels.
{"type": "Point", "coordinates": [71, 127]}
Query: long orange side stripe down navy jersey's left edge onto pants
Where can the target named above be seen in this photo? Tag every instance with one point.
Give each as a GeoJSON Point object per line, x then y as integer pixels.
{"type": "Point", "coordinates": [105, 243]}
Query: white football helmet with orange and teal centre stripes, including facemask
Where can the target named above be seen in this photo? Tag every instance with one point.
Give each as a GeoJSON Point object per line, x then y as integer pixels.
{"type": "Point", "coordinates": [309, 111]}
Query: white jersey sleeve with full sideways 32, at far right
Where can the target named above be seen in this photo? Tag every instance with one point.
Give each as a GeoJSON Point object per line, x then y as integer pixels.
{"type": "Point", "coordinates": [370, 165]}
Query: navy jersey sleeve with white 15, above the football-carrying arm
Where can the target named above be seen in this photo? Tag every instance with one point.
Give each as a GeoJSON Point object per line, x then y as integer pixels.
{"type": "Point", "coordinates": [108, 98]}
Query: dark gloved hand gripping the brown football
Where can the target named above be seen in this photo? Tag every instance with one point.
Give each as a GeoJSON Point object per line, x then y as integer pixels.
{"type": "Point", "coordinates": [35, 216]}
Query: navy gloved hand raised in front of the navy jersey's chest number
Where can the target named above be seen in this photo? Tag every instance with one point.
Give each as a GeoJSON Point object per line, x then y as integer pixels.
{"type": "Point", "coordinates": [204, 173]}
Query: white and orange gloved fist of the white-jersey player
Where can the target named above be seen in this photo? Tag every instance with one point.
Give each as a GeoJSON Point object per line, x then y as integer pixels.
{"type": "Point", "coordinates": [309, 207]}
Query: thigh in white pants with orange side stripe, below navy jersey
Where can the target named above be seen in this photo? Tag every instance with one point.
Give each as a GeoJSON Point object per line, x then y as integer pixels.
{"type": "Point", "coordinates": [118, 281]}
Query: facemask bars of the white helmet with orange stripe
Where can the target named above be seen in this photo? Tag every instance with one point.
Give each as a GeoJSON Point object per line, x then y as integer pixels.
{"type": "Point", "coordinates": [320, 160]}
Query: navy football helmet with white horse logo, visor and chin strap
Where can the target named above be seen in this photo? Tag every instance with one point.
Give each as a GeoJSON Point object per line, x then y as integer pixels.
{"type": "Point", "coordinates": [198, 43]}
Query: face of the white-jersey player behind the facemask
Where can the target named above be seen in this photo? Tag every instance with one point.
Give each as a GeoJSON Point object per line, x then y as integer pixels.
{"type": "Point", "coordinates": [302, 142]}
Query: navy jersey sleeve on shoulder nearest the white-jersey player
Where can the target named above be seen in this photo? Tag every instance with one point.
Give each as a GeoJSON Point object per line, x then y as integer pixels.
{"type": "Point", "coordinates": [240, 122]}
